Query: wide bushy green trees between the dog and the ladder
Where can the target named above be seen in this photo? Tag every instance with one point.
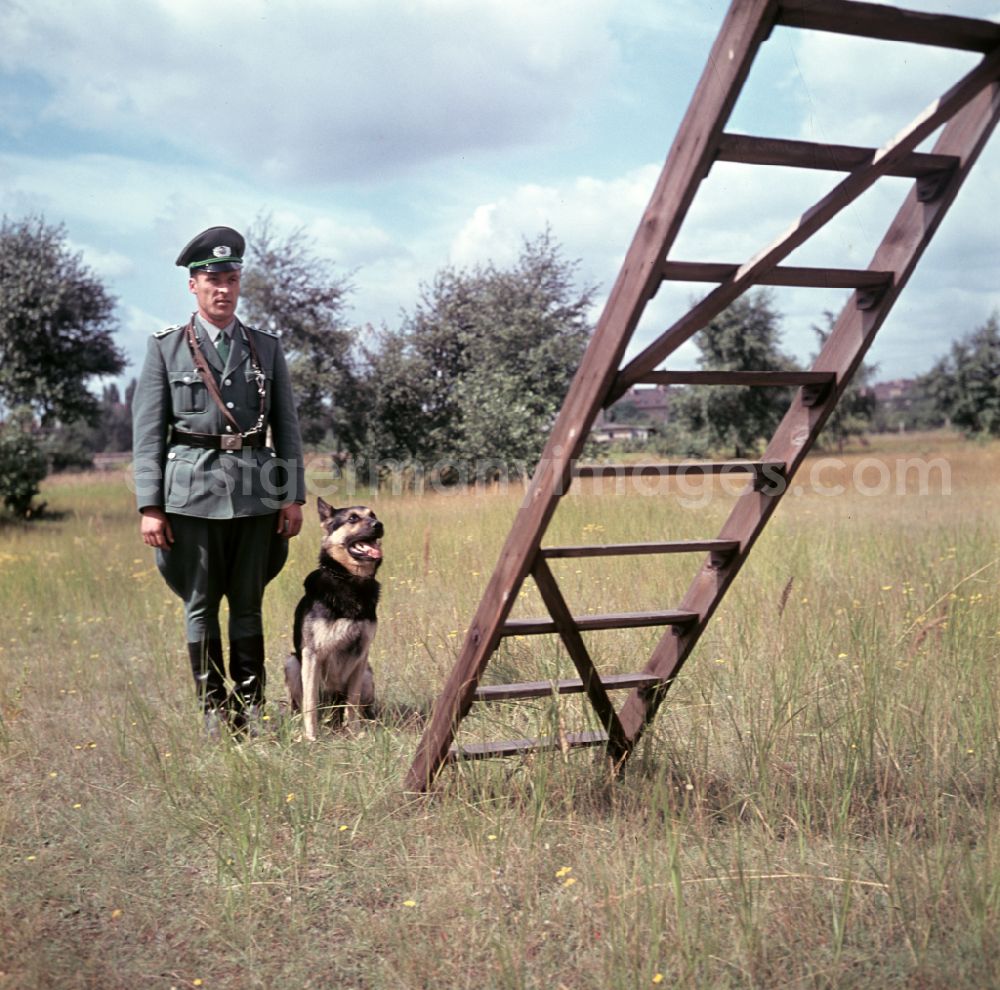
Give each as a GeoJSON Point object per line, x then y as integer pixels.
{"type": "Point", "coordinates": [477, 373]}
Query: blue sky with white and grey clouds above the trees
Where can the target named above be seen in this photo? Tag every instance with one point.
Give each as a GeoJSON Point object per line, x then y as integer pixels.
{"type": "Point", "coordinates": [398, 137]}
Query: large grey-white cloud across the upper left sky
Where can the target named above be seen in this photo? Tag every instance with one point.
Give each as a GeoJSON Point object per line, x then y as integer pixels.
{"type": "Point", "coordinates": [315, 90]}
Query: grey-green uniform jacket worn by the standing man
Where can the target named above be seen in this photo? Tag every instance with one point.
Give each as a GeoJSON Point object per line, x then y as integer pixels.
{"type": "Point", "coordinates": [214, 484]}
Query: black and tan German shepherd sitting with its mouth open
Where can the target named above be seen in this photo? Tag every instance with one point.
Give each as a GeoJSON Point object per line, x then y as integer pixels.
{"type": "Point", "coordinates": [335, 621]}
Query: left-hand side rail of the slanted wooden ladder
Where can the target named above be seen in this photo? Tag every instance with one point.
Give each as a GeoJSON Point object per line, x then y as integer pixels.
{"type": "Point", "coordinates": [746, 26]}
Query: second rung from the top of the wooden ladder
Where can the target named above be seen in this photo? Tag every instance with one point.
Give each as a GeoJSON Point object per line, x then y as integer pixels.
{"type": "Point", "coordinates": [751, 149]}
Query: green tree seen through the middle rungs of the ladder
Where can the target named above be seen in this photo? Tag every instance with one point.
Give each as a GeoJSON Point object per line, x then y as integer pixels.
{"type": "Point", "coordinates": [743, 337]}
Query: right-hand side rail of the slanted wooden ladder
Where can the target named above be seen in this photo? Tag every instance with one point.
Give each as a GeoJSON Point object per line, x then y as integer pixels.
{"type": "Point", "coordinates": [901, 248]}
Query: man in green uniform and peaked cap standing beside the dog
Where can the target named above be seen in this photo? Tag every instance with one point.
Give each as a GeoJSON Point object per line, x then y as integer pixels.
{"type": "Point", "coordinates": [219, 497]}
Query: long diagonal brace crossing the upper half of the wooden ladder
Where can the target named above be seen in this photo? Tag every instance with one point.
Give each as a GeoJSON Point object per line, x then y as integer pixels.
{"type": "Point", "coordinates": [842, 195]}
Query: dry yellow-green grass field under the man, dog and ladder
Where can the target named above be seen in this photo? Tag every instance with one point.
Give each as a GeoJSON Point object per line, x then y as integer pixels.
{"type": "Point", "coordinates": [816, 805]}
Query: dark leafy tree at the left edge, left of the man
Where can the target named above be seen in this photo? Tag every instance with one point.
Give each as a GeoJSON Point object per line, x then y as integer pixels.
{"type": "Point", "coordinates": [56, 324]}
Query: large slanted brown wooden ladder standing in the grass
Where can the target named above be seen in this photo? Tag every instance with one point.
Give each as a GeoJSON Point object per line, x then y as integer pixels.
{"type": "Point", "coordinates": [968, 113]}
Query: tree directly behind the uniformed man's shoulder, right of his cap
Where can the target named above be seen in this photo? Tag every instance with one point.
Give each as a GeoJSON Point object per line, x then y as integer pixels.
{"type": "Point", "coordinates": [289, 289]}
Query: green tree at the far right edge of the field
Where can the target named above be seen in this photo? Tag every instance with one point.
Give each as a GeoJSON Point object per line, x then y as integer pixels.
{"type": "Point", "coordinates": [965, 385]}
